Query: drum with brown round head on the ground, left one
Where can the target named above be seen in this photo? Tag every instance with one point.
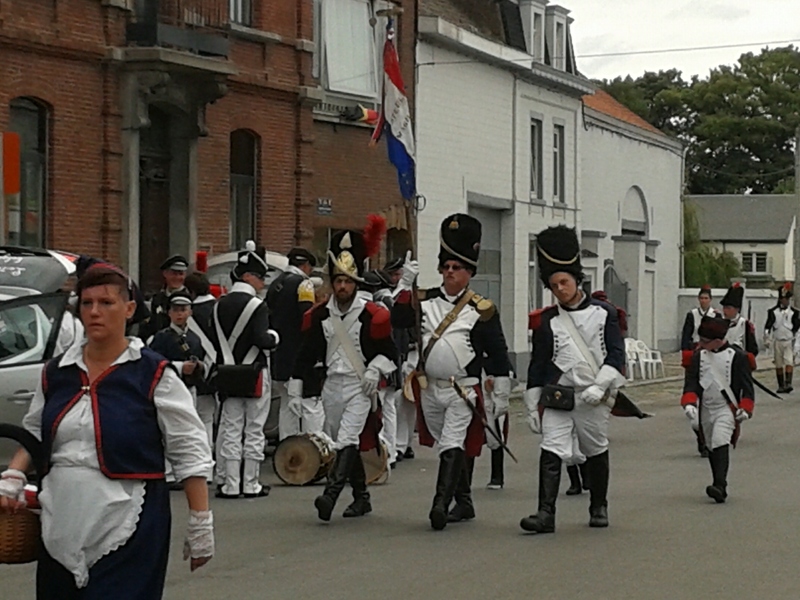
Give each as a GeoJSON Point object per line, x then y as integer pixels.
{"type": "Point", "coordinates": [303, 459]}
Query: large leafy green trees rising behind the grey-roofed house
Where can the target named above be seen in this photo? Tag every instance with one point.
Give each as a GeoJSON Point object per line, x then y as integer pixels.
{"type": "Point", "coordinates": [738, 123]}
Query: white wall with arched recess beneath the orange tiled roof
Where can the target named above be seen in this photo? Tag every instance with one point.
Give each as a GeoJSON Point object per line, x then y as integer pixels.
{"type": "Point", "coordinates": [612, 162]}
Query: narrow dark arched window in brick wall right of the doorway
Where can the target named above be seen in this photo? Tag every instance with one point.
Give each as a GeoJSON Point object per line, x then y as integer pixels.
{"type": "Point", "coordinates": [244, 156]}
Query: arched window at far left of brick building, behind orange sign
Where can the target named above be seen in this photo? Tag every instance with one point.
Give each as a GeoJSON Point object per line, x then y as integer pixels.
{"type": "Point", "coordinates": [26, 220]}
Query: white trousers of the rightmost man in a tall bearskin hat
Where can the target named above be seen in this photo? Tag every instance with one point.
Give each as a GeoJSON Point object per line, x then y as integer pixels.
{"type": "Point", "coordinates": [576, 434]}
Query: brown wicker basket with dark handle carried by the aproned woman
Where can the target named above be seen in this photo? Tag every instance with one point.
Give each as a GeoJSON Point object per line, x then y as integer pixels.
{"type": "Point", "coordinates": [20, 532]}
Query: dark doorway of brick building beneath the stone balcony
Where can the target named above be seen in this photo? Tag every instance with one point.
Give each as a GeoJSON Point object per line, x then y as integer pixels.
{"type": "Point", "coordinates": [154, 199]}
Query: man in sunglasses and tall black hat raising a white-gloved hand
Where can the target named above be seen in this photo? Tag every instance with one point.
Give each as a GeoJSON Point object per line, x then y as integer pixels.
{"type": "Point", "coordinates": [461, 338]}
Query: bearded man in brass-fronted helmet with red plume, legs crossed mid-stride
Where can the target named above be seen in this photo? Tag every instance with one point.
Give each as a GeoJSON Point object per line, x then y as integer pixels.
{"type": "Point", "coordinates": [352, 337]}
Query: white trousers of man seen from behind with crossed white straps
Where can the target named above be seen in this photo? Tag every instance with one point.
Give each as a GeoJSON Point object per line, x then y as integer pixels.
{"type": "Point", "coordinates": [243, 417]}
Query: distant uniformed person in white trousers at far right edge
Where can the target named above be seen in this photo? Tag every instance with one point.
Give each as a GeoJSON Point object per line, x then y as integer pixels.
{"type": "Point", "coordinates": [783, 323]}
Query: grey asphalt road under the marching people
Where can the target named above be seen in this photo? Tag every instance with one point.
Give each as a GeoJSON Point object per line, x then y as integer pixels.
{"type": "Point", "coordinates": [667, 540]}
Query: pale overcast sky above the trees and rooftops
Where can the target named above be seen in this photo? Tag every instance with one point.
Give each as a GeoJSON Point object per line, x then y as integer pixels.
{"type": "Point", "coordinates": [607, 26]}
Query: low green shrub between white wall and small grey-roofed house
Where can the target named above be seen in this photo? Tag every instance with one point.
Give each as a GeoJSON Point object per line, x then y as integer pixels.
{"type": "Point", "coordinates": [704, 263]}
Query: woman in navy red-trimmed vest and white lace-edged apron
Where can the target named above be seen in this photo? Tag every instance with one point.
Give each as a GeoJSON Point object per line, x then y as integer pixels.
{"type": "Point", "coordinates": [109, 412]}
